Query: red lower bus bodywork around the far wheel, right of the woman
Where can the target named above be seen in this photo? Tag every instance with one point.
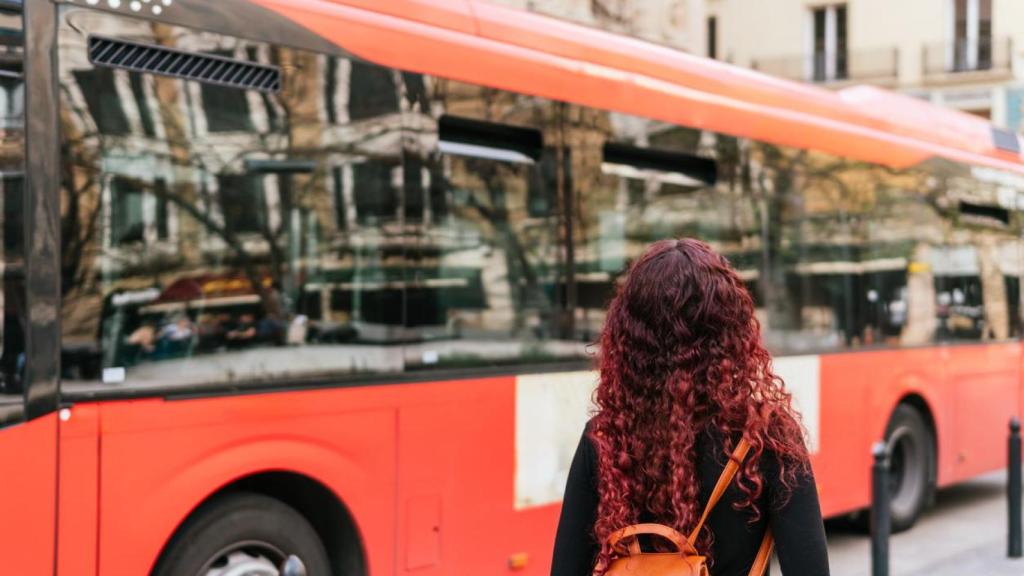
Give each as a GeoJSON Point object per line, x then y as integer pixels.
{"type": "Point", "coordinates": [971, 392]}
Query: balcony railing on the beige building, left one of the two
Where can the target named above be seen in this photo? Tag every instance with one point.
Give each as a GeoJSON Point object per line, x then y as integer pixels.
{"type": "Point", "coordinates": [879, 65]}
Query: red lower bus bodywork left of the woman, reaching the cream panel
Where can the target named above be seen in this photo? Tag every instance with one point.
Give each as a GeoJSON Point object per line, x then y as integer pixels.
{"type": "Point", "coordinates": [428, 471]}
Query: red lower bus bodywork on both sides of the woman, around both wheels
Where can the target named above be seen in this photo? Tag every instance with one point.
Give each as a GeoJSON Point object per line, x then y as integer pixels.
{"type": "Point", "coordinates": [429, 470]}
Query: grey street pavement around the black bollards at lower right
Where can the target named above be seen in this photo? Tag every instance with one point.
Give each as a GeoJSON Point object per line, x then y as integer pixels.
{"type": "Point", "coordinates": [964, 534]}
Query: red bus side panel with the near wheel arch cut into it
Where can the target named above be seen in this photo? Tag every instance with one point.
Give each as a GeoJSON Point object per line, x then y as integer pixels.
{"type": "Point", "coordinates": [161, 460]}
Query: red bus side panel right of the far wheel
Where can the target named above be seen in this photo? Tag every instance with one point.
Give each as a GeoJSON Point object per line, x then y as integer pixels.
{"type": "Point", "coordinates": [986, 387]}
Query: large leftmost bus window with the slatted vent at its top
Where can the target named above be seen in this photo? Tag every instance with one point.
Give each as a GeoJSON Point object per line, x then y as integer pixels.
{"type": "Point", "coordinates": [226, 233]}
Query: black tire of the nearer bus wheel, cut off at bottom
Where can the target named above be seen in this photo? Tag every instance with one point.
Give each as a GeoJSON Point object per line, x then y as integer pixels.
{"type": "Point", "coordinates": [241, 526]}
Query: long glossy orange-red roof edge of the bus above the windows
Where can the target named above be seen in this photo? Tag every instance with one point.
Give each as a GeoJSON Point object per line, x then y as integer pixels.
{"type": "Point", "coordinates": [538, 56]}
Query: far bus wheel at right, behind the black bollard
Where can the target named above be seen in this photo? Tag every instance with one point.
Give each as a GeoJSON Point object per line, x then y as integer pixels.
{"type": "Point", "coordinates": [912, 466]}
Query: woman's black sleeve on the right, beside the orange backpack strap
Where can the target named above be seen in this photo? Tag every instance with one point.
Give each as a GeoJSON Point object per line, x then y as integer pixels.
{"type": "Point", "coordinates": [797, 526]}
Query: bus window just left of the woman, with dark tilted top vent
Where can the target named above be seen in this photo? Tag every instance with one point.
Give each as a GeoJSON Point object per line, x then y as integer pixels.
{"type": "Point", "coordinates": [489, 282]}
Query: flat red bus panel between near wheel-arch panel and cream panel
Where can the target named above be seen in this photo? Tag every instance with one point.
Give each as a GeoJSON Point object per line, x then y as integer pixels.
{"type": "Point", "coordinates": [456, 471]}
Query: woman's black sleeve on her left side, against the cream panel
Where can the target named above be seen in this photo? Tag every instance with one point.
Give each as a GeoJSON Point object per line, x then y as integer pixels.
{"type": "Point", "coordinates": [576, 549]}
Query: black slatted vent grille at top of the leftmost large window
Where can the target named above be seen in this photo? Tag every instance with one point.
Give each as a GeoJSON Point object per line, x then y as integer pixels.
{"type": "Point", "coordinates": [180, 64]}
